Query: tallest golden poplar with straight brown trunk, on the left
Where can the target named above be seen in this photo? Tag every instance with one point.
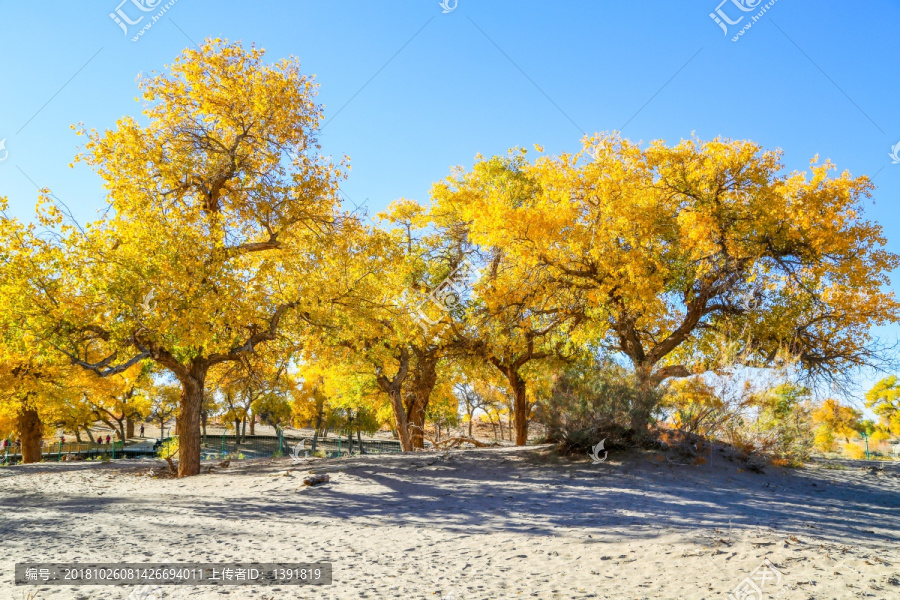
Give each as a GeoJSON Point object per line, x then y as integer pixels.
{"type": "Point", "coordinates": [221, 230]}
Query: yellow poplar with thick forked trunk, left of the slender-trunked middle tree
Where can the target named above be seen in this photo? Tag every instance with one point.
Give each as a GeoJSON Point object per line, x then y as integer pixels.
{"type": "Point", "coordinates": [383, 336]}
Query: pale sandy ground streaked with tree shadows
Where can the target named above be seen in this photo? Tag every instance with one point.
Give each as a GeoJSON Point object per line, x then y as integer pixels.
{"type": "Point", "coordinates": [501, 523]}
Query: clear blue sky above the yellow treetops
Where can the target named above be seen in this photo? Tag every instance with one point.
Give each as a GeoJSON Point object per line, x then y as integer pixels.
{"type": "Point", "coordinates": [410, 90]}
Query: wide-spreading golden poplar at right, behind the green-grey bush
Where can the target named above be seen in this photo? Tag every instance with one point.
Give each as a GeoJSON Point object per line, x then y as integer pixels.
{"type": "Point", "coordinates": [669, 246]}
